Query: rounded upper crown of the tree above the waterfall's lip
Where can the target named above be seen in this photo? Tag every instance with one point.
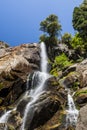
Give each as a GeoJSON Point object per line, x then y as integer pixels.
{"type": "Point", "coordinates": [51, 26]}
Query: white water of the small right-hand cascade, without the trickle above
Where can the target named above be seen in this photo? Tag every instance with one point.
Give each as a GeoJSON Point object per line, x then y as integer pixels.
{"type": "Point", "coordinates": [72, 112]}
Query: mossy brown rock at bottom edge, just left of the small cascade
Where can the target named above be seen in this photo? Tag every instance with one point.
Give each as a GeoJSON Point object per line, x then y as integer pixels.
{"type": "Point", "coordinates": [57, 122]}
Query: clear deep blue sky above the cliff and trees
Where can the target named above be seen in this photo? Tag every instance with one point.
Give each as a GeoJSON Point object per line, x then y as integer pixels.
{"type": "Point", "coordinates": [20, 19]}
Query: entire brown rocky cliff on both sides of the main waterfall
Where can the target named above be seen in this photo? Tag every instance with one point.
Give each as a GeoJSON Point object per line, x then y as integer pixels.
{"type": "Point", "coordinates": [49, 112]}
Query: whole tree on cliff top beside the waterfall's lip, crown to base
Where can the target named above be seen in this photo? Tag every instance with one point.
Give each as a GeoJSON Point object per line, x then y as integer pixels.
{"type": "Point", "coordinates": [51, 28]}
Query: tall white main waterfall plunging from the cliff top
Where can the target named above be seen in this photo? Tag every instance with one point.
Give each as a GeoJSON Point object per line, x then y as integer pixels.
{"type": "Point", "coordinates": [39, 88]}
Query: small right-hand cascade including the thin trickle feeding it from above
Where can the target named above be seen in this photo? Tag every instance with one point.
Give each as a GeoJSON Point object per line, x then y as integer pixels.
{"type": "Point", "coordinates": [72, 112]}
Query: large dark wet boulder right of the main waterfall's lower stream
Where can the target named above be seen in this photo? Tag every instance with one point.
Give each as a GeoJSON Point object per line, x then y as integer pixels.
{"type": "Point", "coordinates": [49, 102]}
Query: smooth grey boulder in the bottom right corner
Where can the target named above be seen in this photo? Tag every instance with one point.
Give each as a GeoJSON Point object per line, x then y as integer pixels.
{"type": "Point", "coordinates": [82, 120]}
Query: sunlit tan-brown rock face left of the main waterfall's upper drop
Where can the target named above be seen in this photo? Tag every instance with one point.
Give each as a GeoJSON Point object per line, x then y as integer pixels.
{"type": "Point", "coordinates": [15, 65]}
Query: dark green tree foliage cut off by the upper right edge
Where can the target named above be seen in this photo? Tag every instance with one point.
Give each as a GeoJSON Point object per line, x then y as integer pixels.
{"type": "Point", "coordinates": [80, 19]}
